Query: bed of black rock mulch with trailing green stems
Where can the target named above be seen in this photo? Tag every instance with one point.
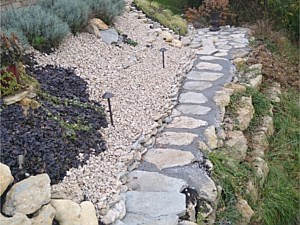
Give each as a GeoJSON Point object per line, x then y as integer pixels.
{"type": "Point", "coordinates": [52, 136]}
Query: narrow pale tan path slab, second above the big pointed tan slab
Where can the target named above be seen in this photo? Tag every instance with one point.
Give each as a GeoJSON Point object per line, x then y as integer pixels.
{"type": "Point", "coordinates": [186, 122]}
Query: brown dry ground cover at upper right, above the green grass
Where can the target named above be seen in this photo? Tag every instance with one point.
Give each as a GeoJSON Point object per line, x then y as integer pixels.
{"type": "Point", "coordinates": [280, 58]}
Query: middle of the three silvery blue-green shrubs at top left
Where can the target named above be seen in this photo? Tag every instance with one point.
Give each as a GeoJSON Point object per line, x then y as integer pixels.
{"type": "Point", "coordinates": [74, 12]}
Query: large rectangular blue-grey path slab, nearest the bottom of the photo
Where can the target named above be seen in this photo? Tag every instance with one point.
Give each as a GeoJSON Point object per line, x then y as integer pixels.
{"type": "Point", "coordinates": [155, 204]}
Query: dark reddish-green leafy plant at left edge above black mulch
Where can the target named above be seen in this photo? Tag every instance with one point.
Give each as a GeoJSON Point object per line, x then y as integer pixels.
{"type": "Point", "coordinates": [11, 50]}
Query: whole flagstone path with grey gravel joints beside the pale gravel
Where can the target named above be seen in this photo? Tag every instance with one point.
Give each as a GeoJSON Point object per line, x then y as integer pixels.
{"type": "Point", "coordinates": [175, 162]}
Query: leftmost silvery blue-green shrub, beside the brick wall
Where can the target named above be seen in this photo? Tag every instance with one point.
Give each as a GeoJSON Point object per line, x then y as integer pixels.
{"type": "Point", "coordinates": [36, 24]}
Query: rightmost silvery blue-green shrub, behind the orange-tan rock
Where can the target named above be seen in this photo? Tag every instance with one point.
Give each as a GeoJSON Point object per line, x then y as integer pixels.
{"type": "Point", "coordinates": [106, 10]}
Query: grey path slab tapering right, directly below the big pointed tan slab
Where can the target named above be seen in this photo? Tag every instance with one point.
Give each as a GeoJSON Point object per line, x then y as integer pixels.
{"type": "Point", "coordinates": [154, 182]}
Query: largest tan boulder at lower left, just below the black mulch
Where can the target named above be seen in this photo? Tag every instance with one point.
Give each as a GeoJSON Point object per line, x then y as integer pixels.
{"type": "Point", "coordinates": [28, 195]}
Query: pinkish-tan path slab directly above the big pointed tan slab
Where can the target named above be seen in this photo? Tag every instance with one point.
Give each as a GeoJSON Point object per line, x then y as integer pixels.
{"type": "Point", "coordinates": [173, 138]}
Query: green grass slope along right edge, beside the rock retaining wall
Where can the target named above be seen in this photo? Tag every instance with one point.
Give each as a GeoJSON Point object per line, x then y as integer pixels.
{"type": "Point", "coordinates": [280, 196]}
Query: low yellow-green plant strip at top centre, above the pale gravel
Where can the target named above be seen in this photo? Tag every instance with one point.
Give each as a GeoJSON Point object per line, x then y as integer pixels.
{"type": "Point", "coordinates": [165, 13]}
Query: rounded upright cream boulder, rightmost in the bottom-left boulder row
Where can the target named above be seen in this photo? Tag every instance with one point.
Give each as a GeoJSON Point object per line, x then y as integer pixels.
{"type": "Point", "coordinates": [88, 214]}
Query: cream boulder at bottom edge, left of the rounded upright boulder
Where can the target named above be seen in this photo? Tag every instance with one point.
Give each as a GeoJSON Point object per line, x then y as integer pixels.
{"type": "Point", "coordinates": [67, 212]}
